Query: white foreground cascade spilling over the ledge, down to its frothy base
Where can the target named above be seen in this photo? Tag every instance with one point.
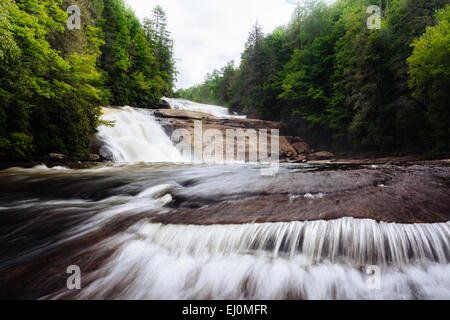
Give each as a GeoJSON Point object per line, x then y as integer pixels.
{"type": "Point", "coordinates": [296, 260]}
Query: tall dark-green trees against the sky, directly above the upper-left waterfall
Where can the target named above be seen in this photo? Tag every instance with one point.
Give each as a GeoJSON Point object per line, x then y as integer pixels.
{"type": "Point", "coordinates": [137, 59]}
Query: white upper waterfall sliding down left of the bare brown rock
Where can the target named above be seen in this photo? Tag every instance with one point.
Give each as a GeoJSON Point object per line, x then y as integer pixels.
{"type": "Point", "coordinates": [136, 137]}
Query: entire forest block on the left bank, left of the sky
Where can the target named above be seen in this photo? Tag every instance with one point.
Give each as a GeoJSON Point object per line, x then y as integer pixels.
{"type": "Point", "coordinates": [54, 77]}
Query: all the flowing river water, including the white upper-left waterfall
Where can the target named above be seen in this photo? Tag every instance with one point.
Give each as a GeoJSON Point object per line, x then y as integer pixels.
{"type": "Point", "coordinates": [151, 226]}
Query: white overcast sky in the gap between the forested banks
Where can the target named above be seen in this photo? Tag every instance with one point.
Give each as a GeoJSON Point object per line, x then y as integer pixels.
{"type": "Point", "coordinates": [210, 33]}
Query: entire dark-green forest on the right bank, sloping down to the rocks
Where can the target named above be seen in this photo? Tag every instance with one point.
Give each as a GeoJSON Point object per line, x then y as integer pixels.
{"type": "Point", "coordinates": [343, 86]}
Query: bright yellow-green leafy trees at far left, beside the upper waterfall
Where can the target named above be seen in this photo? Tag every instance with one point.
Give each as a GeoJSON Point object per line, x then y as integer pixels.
{"type": "Point", "coordinates": [48, 102]}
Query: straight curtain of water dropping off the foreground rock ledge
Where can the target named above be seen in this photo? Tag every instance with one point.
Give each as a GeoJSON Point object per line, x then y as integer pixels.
{"type": "Point", "coordinates": [346, 240]}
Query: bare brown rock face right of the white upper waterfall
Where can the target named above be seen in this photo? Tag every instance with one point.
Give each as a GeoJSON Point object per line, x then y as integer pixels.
{"type": "Point", "coordinates": [291, 149]}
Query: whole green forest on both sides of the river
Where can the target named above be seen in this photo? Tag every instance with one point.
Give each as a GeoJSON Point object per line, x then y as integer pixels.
{"type": "Point", "coordinates": [325, 75]}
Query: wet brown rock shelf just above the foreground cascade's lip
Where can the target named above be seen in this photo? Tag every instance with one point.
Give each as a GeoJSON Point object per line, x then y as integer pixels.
{"type": "Point", "coordinates": [391, 194]}
